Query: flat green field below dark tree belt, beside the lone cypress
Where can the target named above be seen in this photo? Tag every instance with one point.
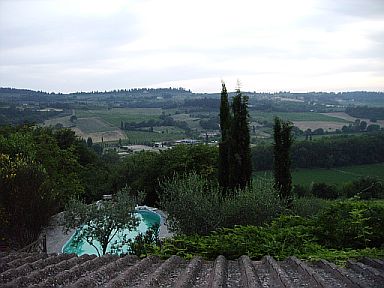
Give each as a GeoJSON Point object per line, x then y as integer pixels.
{"type": "Point", "coordinates": [336, 176]}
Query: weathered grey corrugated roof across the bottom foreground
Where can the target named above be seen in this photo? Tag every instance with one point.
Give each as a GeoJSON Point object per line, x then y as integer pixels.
{"type": "Point", "coordinates": [62, 270]}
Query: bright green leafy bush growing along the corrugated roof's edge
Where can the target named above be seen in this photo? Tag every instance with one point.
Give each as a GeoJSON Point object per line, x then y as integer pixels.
{"type": "Point", "coordinates": [286, 236]}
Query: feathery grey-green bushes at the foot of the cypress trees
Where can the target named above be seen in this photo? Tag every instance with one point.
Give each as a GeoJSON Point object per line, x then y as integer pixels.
{"type": "Point", "coordinates": [196, 206]}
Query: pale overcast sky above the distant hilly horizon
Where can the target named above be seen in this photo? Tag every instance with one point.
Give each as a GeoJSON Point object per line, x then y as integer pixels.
{"type": "Point", "coordinates": [269, 45]}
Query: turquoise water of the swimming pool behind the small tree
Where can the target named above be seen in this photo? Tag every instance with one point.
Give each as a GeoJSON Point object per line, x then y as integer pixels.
{"type": "Point", "coordinates": [147, 219]}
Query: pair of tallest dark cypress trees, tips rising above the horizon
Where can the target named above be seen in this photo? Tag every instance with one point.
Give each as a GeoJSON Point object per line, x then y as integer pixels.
{"type": "Point", "coordinates": [235, 166]}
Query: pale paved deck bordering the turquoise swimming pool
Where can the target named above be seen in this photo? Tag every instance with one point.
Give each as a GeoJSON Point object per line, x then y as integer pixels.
{"type": "Point", "coordinates": [56, 238]}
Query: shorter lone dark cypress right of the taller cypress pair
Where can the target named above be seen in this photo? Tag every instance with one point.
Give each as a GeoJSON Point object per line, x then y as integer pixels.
{"type": "Point", "coordinates": [282, 160]}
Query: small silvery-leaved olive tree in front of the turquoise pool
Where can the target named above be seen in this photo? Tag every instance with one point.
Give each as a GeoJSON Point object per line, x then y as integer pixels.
{"type": "Point", "coordinates": [101, 221]}
